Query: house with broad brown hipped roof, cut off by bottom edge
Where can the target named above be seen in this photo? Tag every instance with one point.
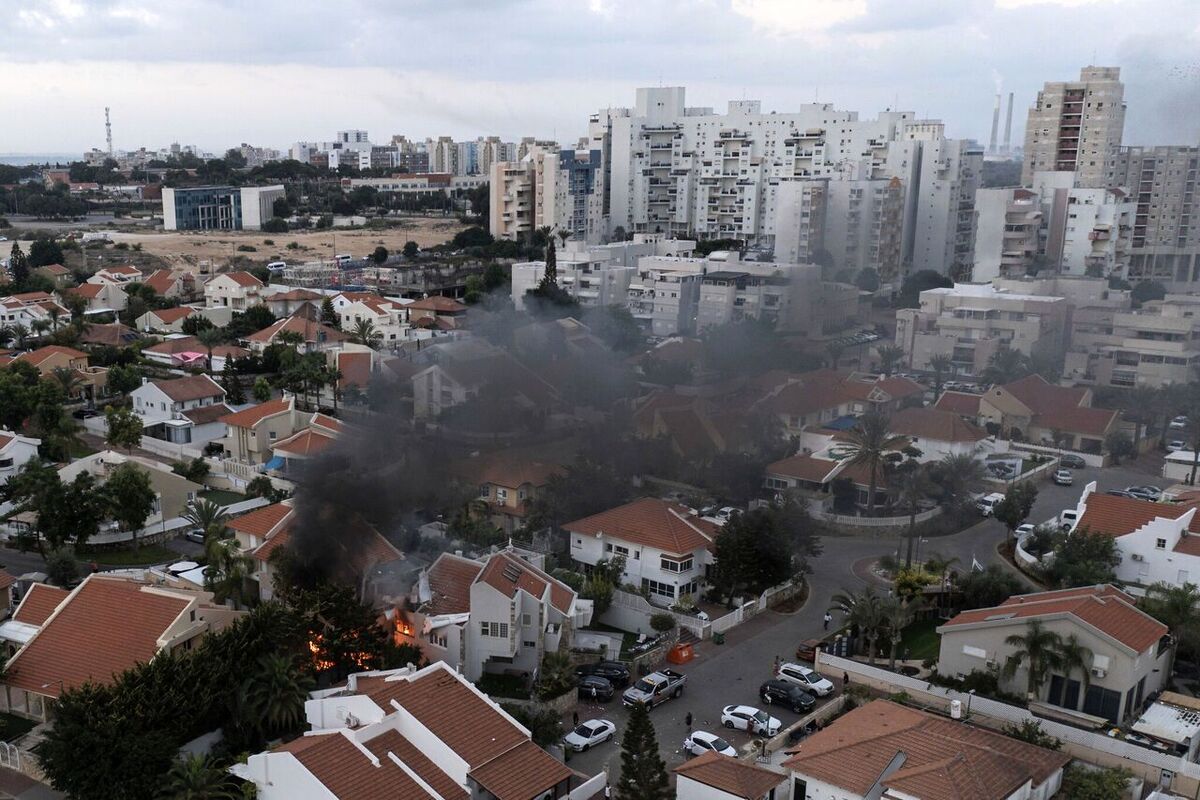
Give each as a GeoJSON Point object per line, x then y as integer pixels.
{"type": "Point", "coordinates": [892, 753]}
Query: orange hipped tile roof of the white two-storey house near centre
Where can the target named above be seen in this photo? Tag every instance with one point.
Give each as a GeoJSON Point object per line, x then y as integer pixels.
{"type": "Point", "coordinates": [651, 522]}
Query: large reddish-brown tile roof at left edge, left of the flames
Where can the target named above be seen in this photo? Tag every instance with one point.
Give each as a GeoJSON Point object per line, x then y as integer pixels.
{"type": "Point", "coordinates": [105, 628]}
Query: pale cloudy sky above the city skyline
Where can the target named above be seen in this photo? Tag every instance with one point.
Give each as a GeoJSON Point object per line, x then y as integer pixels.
{"type": "Point", "coordinates": [271, 73]}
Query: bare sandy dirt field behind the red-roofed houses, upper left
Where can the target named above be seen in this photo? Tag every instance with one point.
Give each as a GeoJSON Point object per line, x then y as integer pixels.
{"type": "Point", "coordinates": [185, 250]}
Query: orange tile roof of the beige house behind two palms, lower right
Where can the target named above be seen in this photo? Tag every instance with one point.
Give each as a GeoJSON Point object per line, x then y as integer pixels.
{"type": "Point", "coordinates": [1103, 609]}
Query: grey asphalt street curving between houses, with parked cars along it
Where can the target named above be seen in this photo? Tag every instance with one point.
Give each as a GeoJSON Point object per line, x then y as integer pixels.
{"type": "Point", "coordinates": [733, 673]}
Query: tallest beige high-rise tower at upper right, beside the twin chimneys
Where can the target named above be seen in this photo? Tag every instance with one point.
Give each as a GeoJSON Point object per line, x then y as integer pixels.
{"type": "Point", "coordinates": [1076, 127]}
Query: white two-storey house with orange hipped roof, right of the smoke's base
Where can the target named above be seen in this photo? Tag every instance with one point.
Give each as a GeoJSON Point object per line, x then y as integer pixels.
{"type": "Point", "coordinates": [667, 548]}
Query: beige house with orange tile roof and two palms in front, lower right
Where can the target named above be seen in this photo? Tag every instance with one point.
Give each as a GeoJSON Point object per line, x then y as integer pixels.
{"type": "Point", "coordinates": [1127, 659]}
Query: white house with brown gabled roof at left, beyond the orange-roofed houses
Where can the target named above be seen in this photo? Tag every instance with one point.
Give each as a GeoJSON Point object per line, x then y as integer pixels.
{"type": "Point", "coordinates": [183, 411]}
